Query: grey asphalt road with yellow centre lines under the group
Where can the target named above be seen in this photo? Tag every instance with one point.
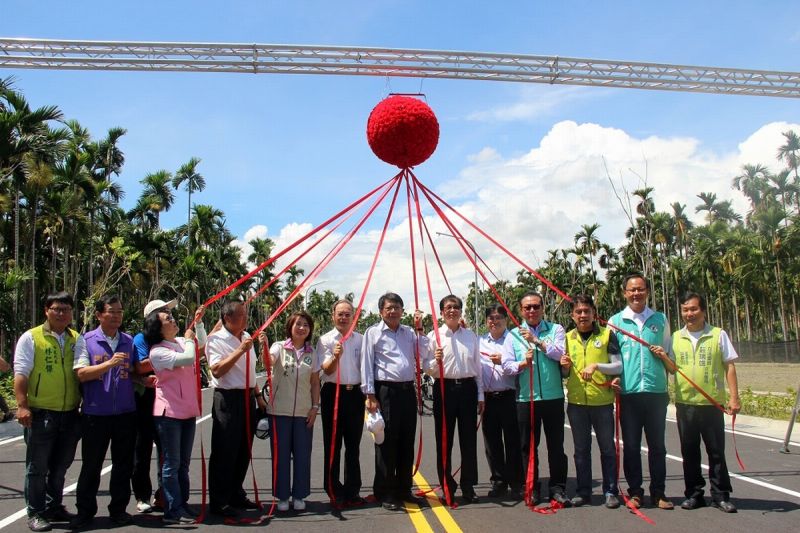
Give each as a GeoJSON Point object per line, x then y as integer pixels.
{"type": "Point", "coordinates": [767, 494]}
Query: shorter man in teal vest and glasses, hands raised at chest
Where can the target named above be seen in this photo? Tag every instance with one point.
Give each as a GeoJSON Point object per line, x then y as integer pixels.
{"type": "Point", "coordinates": [533, 353]}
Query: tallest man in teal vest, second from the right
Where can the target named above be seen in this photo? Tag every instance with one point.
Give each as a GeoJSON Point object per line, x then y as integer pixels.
{"type": "Point", "coordinates": [643, 388]}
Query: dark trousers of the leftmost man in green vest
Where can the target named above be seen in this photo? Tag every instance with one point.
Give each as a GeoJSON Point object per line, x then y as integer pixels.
{"type": "Point", "coordinates": [51, 443]}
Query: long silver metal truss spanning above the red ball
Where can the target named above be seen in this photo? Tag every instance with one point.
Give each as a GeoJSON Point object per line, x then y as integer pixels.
{"type": "Point", "coordinates": [361, 61]}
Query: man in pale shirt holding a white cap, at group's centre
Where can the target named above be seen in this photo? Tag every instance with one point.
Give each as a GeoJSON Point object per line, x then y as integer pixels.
{"type": "Point", "coordinates": [387, 379]}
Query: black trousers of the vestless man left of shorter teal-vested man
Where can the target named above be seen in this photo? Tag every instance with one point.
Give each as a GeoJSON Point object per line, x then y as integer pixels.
{"type": "Point", "coordinates": [501, 439]}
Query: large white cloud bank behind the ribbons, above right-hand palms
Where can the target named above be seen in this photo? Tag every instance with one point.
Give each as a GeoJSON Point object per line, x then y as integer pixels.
{"type": "Point", "coordinates": [534, 203]}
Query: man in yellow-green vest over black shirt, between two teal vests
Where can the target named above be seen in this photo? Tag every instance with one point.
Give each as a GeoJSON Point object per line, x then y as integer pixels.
{"type": "Point", "coordinates": [592, 356]}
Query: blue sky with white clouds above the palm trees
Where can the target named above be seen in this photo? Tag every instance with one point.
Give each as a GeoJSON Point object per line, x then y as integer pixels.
{"type": "Point", "coordinates": [280, 153]}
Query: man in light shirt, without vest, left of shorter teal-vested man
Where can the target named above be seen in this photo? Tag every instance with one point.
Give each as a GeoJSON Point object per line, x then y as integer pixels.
{"type": "Point", "coordinates": [500, 431]}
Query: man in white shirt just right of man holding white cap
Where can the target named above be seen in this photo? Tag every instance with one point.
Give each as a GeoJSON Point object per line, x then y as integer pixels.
{"type": "Point", "coordinates": [460, 358]}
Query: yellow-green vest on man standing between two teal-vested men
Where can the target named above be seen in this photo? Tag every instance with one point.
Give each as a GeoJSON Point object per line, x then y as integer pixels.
{"type": "Point", "coordinates": [594, 350]}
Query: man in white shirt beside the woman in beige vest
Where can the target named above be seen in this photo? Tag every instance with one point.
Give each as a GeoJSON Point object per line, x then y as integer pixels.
{"type": "Point", "coordinates": [341, 362]}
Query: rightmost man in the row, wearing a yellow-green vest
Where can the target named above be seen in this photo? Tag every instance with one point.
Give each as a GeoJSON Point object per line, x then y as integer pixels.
{"type": "Point", "coordinates": [705, 354]}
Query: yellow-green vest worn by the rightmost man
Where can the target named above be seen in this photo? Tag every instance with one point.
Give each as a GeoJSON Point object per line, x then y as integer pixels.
{"type": "Point", "coordinates": [702, 364]}
